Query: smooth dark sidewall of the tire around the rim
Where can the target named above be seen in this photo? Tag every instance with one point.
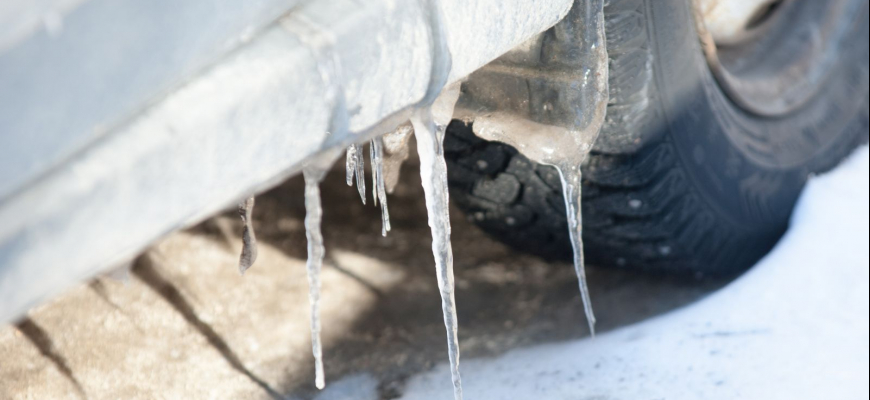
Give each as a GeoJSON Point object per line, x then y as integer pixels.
{"type": "Point", "coordinates": [750, 169]}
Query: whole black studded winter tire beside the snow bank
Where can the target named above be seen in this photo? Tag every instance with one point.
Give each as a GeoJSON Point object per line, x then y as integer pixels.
{"type": "Point", "coordinates": [680, 179]}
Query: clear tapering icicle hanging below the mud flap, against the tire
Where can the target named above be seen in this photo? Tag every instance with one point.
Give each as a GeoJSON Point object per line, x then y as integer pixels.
{"type": "Point", "coordinates": [571, 189]}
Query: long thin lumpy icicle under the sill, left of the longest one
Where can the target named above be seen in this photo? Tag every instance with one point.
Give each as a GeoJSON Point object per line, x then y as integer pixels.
{"type": "Point", "coordinates": [313, 214]}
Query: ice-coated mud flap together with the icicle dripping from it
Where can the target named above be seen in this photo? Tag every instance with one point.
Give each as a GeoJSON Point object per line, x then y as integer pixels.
{"type": "Point", "coordinates": [562, 117]}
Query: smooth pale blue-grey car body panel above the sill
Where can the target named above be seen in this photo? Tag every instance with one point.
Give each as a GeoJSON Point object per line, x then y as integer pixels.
{"type": "Point", "coordinates": [81, 69]}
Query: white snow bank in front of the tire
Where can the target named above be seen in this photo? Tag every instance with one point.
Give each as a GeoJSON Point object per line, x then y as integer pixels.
{"type": "Point", "coordinates": [795, 327]}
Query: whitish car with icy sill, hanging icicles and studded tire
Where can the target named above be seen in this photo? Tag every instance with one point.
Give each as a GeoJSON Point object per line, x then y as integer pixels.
{"type": "Point", "coordinates": [666, 136]}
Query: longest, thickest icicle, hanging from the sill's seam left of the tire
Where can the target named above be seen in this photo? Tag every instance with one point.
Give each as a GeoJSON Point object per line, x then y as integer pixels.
{"type": "Point", "coordinates": [429, 130]}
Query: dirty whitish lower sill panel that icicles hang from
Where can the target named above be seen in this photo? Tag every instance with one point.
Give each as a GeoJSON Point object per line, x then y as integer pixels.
{"type": "Point", "coordinates": [244, 124]}
